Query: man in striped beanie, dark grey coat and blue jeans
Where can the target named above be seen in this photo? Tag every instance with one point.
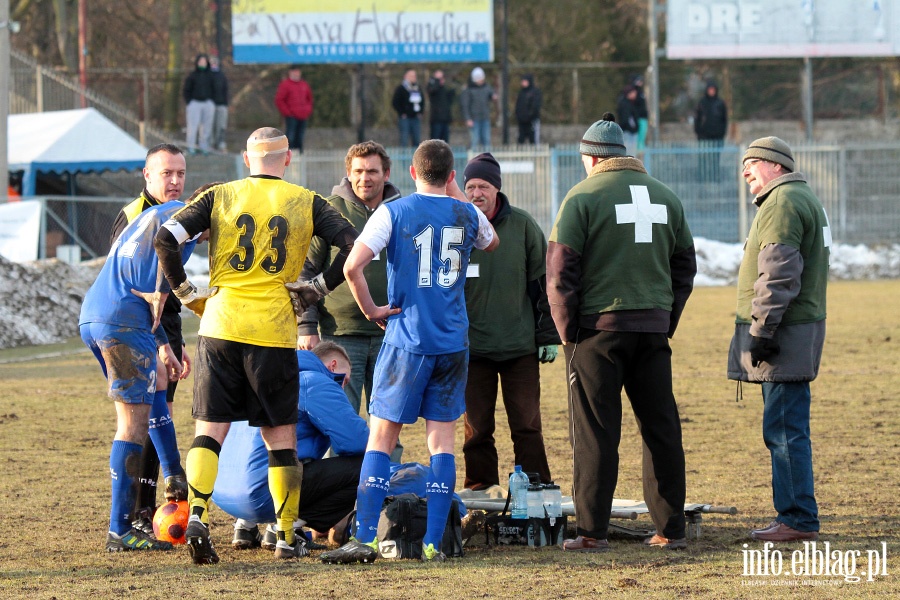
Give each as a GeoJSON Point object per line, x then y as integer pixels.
{"type": "Point", "coordinates": [780, 326]}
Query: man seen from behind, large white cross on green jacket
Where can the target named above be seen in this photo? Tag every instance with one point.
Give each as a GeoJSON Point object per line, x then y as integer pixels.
{"type": "Point", "coordinates": [620, 268]}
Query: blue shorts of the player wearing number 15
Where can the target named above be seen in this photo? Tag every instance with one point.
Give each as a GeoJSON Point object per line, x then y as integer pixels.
{"type": "Point", "coordinates": [408, 386]}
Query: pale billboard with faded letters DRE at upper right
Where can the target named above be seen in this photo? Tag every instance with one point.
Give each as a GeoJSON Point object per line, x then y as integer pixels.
{"type": "Point", "coordinates": [715, 29]}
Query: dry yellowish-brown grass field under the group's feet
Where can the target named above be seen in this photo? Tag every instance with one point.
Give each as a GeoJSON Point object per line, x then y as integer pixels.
{"type": "Point", "coordinates": [56, 426]}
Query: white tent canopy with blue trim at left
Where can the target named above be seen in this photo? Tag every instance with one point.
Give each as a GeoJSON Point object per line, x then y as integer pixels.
{"type": "Point", "coordinates": [73, 141]}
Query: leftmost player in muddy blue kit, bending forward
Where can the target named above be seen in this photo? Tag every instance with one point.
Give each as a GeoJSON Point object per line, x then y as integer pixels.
{"type": "Point", "coordinates": [119, 322]}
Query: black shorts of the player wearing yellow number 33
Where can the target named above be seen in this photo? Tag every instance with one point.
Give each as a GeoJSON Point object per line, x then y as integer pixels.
{"type": "Point", "coordinates": [234, 381]}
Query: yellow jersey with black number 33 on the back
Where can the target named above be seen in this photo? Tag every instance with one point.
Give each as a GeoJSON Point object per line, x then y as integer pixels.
{"type": "Point", "coordinates": [260, 229]}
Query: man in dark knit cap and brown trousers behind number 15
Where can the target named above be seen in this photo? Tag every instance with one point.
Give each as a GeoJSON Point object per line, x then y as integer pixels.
{"type": "Point", "coordinates": [510, 332]}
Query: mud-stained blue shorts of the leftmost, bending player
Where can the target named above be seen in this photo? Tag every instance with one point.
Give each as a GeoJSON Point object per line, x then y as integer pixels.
{"type": "Point", "coordinates": [128, 359]}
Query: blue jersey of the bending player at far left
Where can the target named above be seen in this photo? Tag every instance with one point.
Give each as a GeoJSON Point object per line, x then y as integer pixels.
{"type": "Point", "coordinates": [131, 264]}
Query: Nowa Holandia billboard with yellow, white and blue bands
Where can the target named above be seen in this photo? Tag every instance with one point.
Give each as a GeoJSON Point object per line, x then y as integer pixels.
{"type": "Point", "coordinates": [362, 31]}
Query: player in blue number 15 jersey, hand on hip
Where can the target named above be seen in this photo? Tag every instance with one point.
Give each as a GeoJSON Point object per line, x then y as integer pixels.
{"type": "Point", "coordinates": [421, 369]}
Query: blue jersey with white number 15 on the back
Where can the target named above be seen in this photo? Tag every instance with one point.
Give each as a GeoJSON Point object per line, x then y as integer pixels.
{"type": "Point", "coordinates": [427, 256]}
